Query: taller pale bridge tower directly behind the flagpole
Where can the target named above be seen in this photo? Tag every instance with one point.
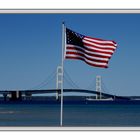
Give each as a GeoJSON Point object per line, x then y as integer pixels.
{"type": "Point", "coordinates": [59, 81]}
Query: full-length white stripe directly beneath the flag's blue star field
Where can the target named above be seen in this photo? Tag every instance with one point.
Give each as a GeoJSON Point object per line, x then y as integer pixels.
{"type": "Point", "coordinates": [96, 53]}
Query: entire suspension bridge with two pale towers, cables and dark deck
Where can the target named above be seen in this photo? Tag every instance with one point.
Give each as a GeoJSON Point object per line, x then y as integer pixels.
{"type": "Point", "coordinates": [99, 91]}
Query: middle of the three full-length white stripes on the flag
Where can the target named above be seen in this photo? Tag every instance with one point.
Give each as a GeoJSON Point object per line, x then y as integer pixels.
{"type": "Point", "coordinates": [92, 57]}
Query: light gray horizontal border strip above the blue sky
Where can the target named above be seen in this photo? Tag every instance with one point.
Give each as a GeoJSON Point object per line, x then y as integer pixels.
{"type": "Point", "coordinates": [68, 11]}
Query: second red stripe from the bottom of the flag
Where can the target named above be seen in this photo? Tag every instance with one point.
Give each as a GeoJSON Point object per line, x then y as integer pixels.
{"type": "Point", "coordinates": [91, 59]}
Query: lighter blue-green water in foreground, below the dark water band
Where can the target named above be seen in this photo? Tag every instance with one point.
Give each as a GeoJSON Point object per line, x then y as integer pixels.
{"type": "Point", "coordinates": [74, 115]}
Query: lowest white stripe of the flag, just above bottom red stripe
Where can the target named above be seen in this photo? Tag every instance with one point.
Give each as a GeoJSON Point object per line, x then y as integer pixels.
{"type": "Point", "coordinates": [92, 62]}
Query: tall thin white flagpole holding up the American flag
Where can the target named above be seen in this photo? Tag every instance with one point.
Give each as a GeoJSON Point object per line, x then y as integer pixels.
{"type": "Point", "coordinates": [62, 70]}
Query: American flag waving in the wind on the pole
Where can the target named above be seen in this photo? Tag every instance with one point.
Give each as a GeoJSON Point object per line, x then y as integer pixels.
{"type": "Point", "coordinates": [93, 51]}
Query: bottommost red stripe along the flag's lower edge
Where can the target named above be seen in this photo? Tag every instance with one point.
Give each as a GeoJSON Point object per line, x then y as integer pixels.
{"type": "Point", "coordinates": [95, 65]}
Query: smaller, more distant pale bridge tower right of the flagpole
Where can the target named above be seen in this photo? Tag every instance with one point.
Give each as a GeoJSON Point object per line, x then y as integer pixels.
{"type": "Point", "coordinates": [98, 86]}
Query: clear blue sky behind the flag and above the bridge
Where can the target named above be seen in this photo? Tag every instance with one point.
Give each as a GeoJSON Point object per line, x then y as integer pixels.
{"type": "Point", "coordinates": [30, 50]}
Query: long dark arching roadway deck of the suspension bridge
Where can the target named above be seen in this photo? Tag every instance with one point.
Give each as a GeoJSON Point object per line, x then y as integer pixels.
{"type": "Point", "coordinates": [25, 92]}
